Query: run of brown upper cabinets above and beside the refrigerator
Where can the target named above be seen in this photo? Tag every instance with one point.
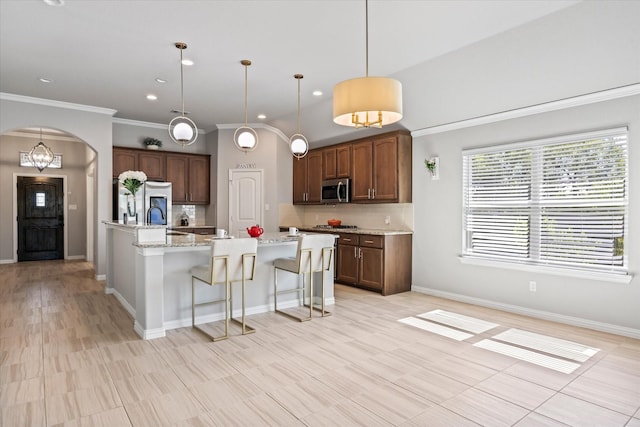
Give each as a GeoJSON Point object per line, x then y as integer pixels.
{"type": "Point", "coordinates": [188, 173]}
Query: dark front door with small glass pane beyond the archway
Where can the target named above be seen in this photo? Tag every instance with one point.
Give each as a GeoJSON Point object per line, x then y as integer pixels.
{"type": "Point", "coordinates": [40, 218]}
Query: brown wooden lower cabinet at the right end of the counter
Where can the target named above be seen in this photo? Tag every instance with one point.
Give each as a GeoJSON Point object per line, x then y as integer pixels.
{"type": "Point", "coordinates": [380, 263]}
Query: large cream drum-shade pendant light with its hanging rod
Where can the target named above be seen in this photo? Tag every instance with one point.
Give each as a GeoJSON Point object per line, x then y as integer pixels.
{"type": "Point", "coordinates": [367, 101]}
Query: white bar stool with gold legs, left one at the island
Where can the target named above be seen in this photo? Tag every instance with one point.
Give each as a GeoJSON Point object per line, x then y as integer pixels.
{"type": "Point", "coordinates": [232, 260]}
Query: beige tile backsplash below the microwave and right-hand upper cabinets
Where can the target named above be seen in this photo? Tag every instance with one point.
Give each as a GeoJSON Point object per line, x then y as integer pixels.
{"type": "Point", "coordinates": [373, 216]}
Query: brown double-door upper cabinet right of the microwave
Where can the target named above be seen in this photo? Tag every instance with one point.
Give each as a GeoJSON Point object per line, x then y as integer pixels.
{"type": "Point", "coordinates": [381, 169]}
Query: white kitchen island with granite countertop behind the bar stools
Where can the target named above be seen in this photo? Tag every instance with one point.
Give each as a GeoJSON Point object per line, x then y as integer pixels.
{"type": "Point", "coordinates": [152, 279]}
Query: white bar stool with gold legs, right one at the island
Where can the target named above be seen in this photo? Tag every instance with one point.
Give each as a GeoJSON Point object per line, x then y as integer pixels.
{"type": "Point", "coordinates": [314, 254]}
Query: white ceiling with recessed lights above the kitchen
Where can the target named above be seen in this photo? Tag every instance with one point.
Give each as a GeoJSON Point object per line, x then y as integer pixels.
{"type": "Point", "coordinates": [109, 53]}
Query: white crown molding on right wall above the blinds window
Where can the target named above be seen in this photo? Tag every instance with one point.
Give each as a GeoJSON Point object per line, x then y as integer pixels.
{"type": "Point", "coordinates": [576, 101]}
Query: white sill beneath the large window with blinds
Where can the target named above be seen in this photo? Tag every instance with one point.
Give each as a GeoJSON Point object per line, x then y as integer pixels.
{"type": "Point", "coordinates": [566, 272]}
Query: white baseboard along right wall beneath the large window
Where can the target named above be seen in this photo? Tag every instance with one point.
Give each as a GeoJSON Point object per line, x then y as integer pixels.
{"type": "Point", "coordinates": [540, 314]}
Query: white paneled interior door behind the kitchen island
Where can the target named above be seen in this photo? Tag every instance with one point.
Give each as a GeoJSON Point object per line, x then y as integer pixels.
{"type": "Point", "coordinates": [245, 200]}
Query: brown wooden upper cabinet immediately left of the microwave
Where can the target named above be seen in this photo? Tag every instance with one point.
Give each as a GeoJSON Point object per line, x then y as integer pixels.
{"type": "Point", "coordinates": [307, 178]}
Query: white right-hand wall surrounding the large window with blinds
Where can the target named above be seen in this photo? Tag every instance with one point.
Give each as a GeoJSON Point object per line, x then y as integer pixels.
{"type": "Point", "coordinates": [438, 243]}
